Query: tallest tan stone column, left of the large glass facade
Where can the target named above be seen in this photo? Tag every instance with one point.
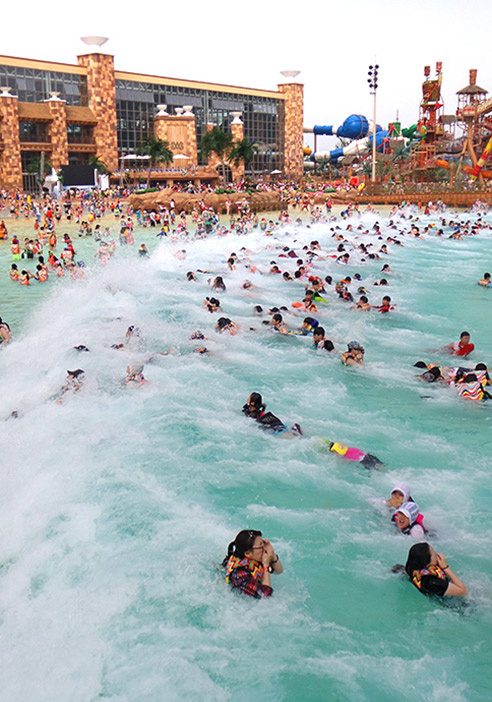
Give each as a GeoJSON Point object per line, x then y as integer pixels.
{"type": "Point", "coordinates": [101, 89]}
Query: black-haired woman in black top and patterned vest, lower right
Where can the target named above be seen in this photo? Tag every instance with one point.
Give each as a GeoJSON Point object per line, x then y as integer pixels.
{"type": "Point", "coordinates": [430, 573]}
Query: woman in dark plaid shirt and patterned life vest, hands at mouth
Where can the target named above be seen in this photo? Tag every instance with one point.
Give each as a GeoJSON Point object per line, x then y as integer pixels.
{"type": "Point", "coordinates": [249, 562]}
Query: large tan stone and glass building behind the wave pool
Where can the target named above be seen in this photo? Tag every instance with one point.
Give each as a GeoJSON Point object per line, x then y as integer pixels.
{"type": "Point", "coordinates": [72, 112]}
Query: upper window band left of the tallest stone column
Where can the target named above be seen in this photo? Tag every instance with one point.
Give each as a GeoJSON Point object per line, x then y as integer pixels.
{"type": "Point", "coordinates": [35, 85]}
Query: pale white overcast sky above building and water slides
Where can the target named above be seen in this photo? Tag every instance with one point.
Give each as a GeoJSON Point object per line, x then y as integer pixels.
{"type": "Point", "coordinates": [248, 44]}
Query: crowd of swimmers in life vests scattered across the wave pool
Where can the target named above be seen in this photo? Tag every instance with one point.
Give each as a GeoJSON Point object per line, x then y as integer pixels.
{"type": "Point", "coordinates": [251, 559]}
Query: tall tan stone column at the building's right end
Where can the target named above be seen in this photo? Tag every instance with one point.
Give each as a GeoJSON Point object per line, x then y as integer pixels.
{"type": "Point", "coordinates": [293, 123]}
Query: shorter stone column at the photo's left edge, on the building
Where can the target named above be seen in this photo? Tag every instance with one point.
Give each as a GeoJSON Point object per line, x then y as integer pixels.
{"type": "Point", "coordinates": [10, 158]}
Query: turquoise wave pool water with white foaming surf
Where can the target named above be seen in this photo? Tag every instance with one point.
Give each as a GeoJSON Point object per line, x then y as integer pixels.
{"type": "Point", "coordinates": [117, 505]}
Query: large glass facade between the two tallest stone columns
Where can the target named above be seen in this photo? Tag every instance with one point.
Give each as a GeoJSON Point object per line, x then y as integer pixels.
{"type": "Point", "coordinates": [136, 106]}
